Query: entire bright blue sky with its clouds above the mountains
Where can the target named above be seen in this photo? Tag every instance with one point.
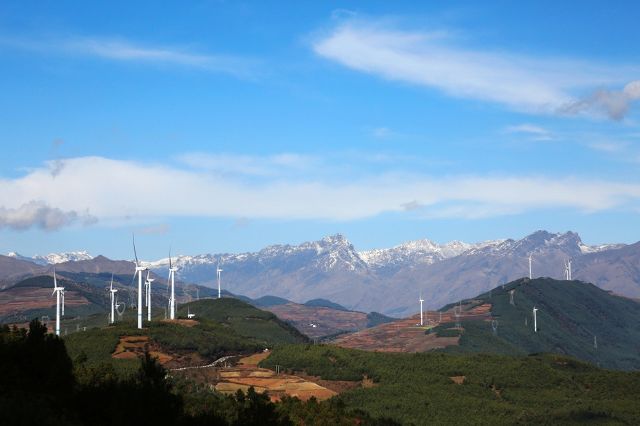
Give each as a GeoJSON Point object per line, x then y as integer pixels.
{"type": "Point", "coordinates": [228, 126]}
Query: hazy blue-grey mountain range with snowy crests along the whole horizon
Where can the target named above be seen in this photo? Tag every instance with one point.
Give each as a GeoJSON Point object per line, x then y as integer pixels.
{"type": "Point", "coordinates": [386, 280]}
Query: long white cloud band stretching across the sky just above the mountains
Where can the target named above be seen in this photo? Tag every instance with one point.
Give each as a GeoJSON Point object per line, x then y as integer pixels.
{"type": "Point", "coordinates": [113, 190]}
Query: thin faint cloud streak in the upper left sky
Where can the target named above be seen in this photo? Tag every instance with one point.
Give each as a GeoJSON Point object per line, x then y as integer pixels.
{"type": "Point", "coordinates": [123, 50]}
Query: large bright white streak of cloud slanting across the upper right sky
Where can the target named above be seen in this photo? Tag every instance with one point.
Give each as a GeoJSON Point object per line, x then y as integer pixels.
{"type": "Point", "coordinates": [431, 59]}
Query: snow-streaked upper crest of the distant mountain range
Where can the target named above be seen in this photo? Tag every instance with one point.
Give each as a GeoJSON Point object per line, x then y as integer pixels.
{"type": "Point", "coordinates": [336, 253]}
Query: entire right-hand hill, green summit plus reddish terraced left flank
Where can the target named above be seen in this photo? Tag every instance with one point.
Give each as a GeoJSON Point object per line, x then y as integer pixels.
{"type": "Point", "coordinates": [574, 318]}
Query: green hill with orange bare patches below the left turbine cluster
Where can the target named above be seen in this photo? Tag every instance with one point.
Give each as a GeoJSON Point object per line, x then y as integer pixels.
{"type": "Point", "coordinates": [220, 327]}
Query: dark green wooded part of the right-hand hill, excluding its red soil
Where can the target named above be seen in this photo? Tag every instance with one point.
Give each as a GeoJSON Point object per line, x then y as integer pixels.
{"type": "Point", "coordinates": [574, 318]}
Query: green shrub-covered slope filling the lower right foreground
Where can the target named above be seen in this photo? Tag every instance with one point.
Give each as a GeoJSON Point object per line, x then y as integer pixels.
{"type": "Point", "coordinates": [416, 388]}
